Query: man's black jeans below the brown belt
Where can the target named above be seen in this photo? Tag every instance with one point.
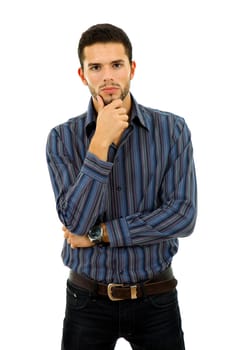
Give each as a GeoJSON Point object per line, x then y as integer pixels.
{"type": "Point", "coordinates": [96, 323]}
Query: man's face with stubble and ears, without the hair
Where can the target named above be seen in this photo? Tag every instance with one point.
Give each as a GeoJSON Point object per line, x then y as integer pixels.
{"type": "Point", "coordinates": [107, 71]}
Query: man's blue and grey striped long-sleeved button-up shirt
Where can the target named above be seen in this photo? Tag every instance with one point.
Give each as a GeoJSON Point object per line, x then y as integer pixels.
{"type": "Point", "coordinates": [145, 193]}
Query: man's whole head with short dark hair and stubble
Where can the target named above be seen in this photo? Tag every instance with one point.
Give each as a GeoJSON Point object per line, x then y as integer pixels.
{"type": "Point", "coordinates": [106, 65]}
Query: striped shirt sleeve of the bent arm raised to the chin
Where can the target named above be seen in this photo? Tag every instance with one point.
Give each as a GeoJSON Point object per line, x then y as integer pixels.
{"type": "Point", "coordinates": [79, 189]}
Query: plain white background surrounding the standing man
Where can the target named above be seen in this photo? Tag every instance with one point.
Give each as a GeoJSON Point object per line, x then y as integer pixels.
{"type": "Point", "coordinates": [183, 51]}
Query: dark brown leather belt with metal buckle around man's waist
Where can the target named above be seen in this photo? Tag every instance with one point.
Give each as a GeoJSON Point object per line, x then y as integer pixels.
{"type": "Point", "coordinates": [163, 283]}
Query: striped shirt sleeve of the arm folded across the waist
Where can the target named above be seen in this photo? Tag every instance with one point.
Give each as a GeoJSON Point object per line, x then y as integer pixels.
{"type": "Point", "coordinates": [176, 216]}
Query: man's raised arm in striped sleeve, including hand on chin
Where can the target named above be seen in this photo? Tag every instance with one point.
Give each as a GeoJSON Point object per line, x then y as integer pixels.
{"type": "Point", "coordinates": [79, 182]}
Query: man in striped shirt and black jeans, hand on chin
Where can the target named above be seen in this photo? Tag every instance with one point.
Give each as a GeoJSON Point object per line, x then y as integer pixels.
{"type": "Point", "coordinates": [124, 182]}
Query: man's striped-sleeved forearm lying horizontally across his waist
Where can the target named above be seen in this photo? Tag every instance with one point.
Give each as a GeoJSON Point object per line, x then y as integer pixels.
{"type": "Point", "coordinates": [150, 228]}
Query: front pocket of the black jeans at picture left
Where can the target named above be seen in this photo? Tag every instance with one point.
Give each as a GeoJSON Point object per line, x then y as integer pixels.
{"type": "Point", "coordinates": [76, 298]}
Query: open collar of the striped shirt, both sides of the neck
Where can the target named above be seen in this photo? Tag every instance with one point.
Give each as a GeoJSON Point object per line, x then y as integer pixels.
{"type": "Point", "coordinates": [137, 116]}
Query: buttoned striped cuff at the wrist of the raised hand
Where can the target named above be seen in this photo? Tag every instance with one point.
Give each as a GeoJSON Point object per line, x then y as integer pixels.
{"type": "Point", "coordinates": [96, 168]}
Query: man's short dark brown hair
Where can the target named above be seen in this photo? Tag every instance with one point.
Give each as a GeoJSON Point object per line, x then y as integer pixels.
{"type": "Point", "coordinates": [104, 33]}
